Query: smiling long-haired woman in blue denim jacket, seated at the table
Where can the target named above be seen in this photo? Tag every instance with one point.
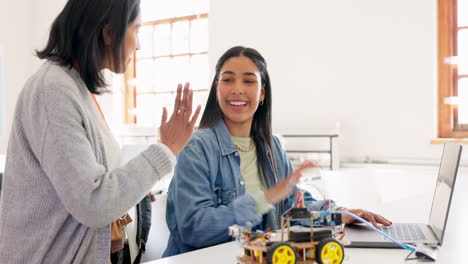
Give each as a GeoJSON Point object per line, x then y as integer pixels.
{"type": "Point", "coordinates": [233, 171]}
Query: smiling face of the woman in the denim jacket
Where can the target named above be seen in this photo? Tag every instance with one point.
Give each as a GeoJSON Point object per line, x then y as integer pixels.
{"type": "Point", "coordinates": [239, 90]}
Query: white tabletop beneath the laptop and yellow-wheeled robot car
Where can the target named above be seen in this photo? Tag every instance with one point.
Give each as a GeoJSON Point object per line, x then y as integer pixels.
{"type": "Point", "coordinates": [399, 193]}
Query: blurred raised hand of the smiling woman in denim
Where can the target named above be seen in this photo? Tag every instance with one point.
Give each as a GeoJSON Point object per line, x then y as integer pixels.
{"type": "Point", "coordinates": [285, 187]}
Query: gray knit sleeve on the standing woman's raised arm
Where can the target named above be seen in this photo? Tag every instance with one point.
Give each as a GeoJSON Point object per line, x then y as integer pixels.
{"type": "Point", "coordinates": [67, 155]}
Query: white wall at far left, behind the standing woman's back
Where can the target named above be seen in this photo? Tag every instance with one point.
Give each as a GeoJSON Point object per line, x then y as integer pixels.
{"type": "Point", "coordinates": [24, 27]}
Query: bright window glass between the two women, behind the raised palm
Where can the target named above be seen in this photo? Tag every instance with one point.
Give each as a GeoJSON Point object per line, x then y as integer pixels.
{"type": "Point", "coordinates": [157, 78]}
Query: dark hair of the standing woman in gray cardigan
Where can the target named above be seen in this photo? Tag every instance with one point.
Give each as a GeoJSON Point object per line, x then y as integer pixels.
{"type": "Point", "coordinates": [76, 36]}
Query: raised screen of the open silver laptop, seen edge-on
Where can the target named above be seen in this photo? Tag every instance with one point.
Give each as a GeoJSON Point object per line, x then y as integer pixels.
{"type": "Point", "coordinates": [444, 189]}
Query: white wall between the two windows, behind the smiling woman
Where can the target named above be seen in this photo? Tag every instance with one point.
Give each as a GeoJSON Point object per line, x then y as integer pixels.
{"type": "Point", "coordinates": [368, 64]}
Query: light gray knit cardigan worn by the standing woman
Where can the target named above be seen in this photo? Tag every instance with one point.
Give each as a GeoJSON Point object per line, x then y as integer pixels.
{"type": "Point", "coordinates": [62, 185]}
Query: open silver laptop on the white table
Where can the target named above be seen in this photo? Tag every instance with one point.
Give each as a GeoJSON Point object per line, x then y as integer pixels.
{"type": "Point", "coordinates": [430, 234]}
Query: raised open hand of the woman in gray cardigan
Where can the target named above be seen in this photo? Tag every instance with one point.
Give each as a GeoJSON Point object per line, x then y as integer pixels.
{"type": "Point", "coordinates": [176, 132]}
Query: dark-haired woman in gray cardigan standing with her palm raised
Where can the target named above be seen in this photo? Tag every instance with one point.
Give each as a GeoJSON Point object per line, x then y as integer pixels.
{"type": "Point", "coordinates": [63, 186]}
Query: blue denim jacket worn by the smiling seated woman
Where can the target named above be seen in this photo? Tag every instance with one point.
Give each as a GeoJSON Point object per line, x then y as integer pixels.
{"type": "Point", "coordinates": [207, 193]}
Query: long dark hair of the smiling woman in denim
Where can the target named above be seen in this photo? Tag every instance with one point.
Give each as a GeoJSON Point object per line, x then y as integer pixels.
{"type": "Point", "coordinates": [261, 131]}
